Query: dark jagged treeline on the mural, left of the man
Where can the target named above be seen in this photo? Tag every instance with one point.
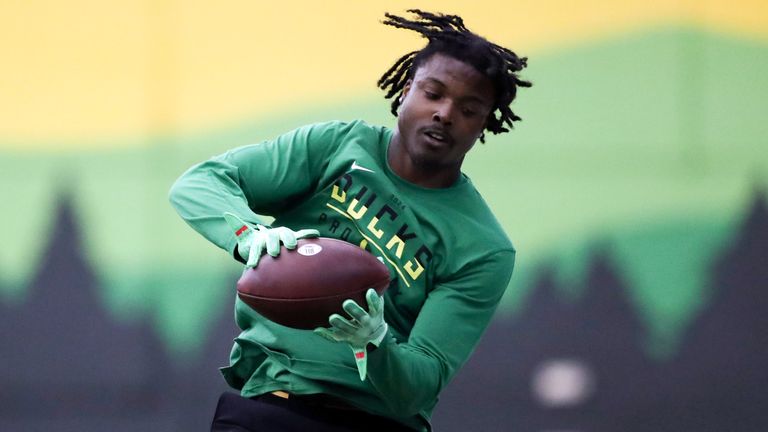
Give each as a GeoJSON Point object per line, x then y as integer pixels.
{"type": "Point", "coordinates": [67, 364]}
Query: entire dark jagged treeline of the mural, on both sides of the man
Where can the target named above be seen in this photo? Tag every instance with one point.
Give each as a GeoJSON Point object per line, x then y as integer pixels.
{"type": "Point", "coordinates": [564, 362]}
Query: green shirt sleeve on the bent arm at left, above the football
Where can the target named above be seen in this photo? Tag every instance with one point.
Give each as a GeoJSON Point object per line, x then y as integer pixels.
{"type": "Point", "coordinates": [253, 180]}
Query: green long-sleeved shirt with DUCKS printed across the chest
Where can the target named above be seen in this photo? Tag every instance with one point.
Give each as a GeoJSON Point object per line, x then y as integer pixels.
{"type": "Point", "coordinates": [449, 258]}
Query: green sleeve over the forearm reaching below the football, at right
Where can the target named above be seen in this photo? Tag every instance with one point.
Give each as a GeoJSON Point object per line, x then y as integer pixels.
{"type": "Point", "coordinates": [409, 376]}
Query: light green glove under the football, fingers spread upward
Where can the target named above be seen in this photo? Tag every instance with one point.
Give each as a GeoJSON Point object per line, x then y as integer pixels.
{"type": "Point", "coordinates": [362, 329]}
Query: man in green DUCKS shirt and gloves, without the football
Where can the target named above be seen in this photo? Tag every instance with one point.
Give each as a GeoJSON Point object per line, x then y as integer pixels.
{"type": "Point", "coordinates": [401, 195]}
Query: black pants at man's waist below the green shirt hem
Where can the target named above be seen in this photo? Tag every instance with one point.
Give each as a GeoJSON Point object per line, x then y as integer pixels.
{"type": "Point", "coordinates": [268, 412]}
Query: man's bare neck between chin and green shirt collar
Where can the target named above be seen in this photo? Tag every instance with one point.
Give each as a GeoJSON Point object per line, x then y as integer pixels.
{"type": "Point", "coordinates": [419, 172]}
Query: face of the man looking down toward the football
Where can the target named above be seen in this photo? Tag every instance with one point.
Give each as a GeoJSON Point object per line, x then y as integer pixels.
{"type": "Point", "coordinates": [444, 111]}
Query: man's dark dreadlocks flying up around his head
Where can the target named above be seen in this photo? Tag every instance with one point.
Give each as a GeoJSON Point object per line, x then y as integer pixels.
{"type": "Point", "coordinates": [448, 35]}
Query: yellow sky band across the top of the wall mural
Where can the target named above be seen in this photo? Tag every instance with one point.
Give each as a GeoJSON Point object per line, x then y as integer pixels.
{"type": "Point", "coordinates": [84, 73]}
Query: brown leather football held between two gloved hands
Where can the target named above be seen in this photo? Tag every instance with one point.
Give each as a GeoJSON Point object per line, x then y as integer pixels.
{"type": "Point", "coordinates": [301, 288]}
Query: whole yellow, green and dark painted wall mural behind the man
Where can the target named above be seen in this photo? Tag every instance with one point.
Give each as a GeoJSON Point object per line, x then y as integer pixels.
{"type": "Point", "coordinates": [634, 191]}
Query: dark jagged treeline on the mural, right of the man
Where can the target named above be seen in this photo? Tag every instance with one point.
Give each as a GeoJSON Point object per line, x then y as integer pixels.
{"type": "Point", "coordinates": [577, 364]}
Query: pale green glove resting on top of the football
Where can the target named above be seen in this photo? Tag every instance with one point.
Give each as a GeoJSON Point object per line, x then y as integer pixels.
{"type": "Point", "coordinates": [252, 241]}
